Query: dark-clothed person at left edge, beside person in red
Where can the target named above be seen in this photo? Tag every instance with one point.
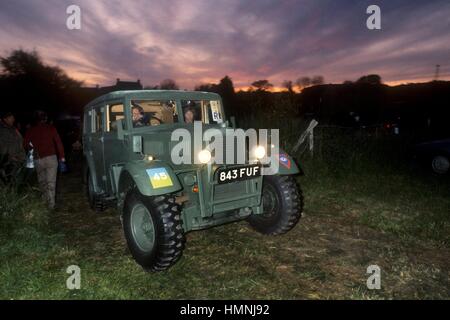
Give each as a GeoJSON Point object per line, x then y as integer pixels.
{"type": "Point", "coordinates": [12, 153]}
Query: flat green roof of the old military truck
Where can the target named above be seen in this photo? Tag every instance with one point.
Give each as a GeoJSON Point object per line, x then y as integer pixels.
{"type": "Point", "coordinates": [154, 94]}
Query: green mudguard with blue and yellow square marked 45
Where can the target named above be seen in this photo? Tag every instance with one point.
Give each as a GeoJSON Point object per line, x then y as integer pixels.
{"type": "Point", "coordinates": [151, 178]}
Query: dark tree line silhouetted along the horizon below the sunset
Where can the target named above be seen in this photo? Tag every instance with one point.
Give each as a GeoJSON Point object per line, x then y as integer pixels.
{"type": "Point", "coordinates": [28, 84]}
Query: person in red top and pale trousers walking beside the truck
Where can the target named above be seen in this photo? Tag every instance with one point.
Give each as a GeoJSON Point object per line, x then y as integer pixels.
{"type": "Point", "coordinates": [48, 149]}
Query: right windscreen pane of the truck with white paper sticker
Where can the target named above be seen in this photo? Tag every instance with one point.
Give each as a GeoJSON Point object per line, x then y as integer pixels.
{"type": "Point", "coordinates": [207, 111]}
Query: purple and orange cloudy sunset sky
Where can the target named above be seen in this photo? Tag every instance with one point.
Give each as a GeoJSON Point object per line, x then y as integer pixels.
{"type": "Point", "coordinates": [200, 41]}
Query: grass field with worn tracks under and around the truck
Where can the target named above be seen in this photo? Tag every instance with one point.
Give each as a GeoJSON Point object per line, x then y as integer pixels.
{"type": "Point", "coordinates": [357, 213]}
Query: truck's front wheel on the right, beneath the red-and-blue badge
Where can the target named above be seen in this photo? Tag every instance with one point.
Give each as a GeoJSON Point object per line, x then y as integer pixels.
{"type": "Point", "coordinates": [282, 205]}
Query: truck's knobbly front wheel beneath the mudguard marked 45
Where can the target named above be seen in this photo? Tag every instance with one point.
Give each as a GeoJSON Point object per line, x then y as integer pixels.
{"type": "Point", "coordinates": [153, 230]}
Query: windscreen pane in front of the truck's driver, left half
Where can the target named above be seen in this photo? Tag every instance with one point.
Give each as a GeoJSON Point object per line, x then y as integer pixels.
{"type": "Point", "coordinates": [153, 112]}
